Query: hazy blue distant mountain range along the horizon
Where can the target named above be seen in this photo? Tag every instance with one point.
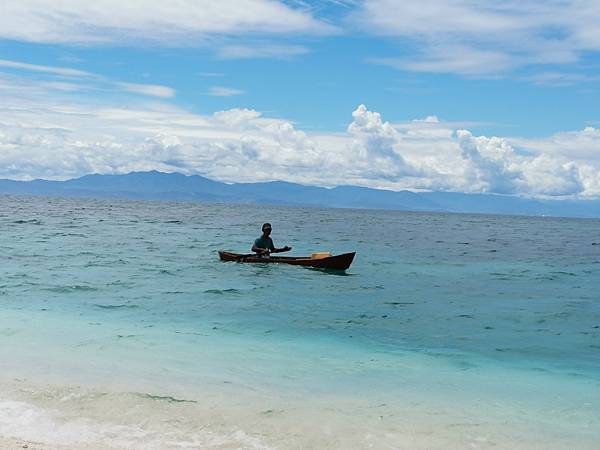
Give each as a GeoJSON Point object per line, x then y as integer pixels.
{"type": "Point", "coordinates": [177, 187]}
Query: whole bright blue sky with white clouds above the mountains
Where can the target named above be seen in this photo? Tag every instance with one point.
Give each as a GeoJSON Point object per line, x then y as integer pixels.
{"type": "Point", "coordinates": [442, 95]}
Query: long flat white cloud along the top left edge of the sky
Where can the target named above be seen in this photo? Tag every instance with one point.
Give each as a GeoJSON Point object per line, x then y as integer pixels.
{"type": "Point", "coordinates": [178, 22]}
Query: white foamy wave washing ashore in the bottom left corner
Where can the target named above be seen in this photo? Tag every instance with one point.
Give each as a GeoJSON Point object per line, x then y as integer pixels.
{"type": "Point", "coordinates": [32, 426]}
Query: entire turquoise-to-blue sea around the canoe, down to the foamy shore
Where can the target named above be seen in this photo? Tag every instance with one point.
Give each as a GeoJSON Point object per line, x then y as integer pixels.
{"type": "Point", "coordinates": [120, 328]}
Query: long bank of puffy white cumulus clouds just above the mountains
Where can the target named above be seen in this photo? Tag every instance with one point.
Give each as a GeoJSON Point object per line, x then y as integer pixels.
{"type": "Point", "coordinates": [44, 136]}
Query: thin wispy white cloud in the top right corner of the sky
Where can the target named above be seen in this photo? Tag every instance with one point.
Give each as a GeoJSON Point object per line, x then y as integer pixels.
{"type": "Point", "coordinates": [484, 38]}
